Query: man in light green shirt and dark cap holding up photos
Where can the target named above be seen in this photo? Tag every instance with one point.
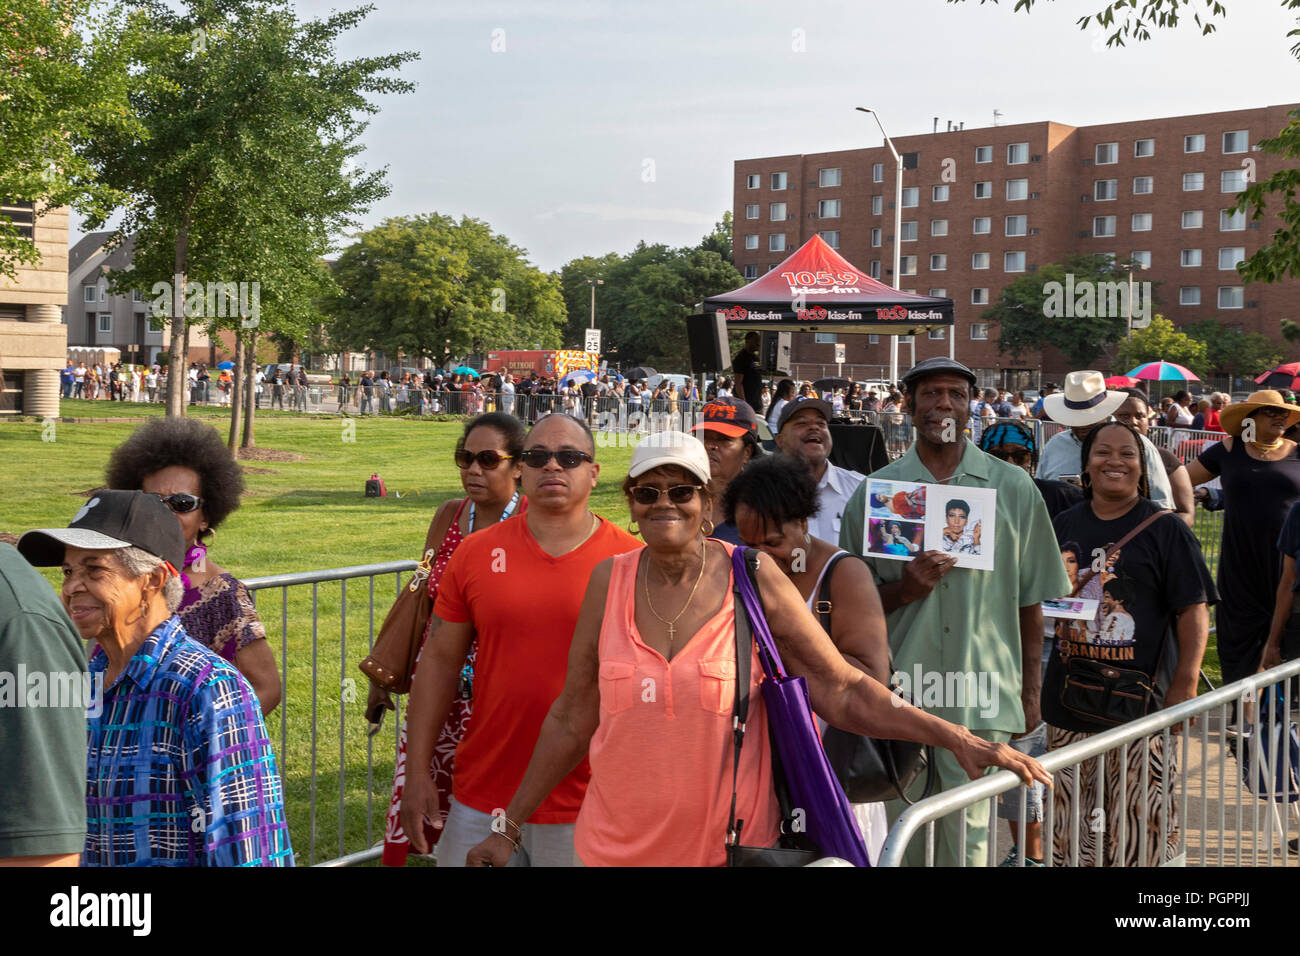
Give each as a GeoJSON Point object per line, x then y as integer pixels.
{"type": "Point", "coordinates": [968, 643]}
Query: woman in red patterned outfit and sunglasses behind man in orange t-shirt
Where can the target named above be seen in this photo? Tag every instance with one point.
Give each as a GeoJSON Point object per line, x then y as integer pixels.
{"type": "Point", "coordinates": [488, 457]}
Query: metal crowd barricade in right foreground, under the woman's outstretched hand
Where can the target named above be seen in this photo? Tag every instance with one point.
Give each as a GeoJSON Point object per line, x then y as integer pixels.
{"type": "Point", "coordinates": [1212, 815]}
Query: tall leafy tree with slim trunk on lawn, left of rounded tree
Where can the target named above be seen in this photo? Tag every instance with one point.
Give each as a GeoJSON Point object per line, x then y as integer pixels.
{"type": "Point", "coordinates": [241, 172]}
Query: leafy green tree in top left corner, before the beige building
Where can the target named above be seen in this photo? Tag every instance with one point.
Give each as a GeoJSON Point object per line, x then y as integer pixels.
{"type": "Point", "coordinates": [63, 73]}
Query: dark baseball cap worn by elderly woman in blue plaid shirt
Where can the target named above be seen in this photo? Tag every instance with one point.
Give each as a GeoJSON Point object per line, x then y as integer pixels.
{"type": "Point", "coordinates": [111, 521]}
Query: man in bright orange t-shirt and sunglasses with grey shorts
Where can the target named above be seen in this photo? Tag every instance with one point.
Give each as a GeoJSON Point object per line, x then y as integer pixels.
{"type": "Point", "coordinates": [519, 587]}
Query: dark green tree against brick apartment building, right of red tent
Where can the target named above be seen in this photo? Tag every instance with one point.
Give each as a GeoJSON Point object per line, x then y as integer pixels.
{"type": "Point", "coordinates": [1074, 306]}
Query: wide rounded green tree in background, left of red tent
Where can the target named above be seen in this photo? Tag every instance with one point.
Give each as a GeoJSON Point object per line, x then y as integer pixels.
{"type": "Point", "coordinates": [436, 288]}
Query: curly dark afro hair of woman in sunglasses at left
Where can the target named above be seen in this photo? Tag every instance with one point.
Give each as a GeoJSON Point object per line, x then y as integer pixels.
{"type": "Point", "coordinates": [163, 443]}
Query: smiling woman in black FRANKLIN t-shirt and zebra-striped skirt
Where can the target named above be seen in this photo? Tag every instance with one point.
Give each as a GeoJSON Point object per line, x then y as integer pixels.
{"type": "Point", "coordinates": [1152, 617]}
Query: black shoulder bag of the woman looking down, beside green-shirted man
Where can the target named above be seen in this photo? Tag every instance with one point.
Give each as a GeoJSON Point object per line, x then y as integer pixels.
{"type": "Point", "coordinates": [872, 771]}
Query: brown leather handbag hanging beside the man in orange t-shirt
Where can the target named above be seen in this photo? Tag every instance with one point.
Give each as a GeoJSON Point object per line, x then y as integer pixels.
{"type": "Point", "coordinates": [392, 661]}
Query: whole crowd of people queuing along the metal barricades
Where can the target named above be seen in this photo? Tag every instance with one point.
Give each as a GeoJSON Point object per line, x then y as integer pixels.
{"type": "Point", "coordinates": [605, 732]}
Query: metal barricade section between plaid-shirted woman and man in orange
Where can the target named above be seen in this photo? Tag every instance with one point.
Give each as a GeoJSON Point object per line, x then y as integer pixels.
{"type": "Point", "coordinates": [354, 772]}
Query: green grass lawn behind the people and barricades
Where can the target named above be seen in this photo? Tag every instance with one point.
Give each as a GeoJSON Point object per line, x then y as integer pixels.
{"type": "Point", "coordinates": [306, 516]}
